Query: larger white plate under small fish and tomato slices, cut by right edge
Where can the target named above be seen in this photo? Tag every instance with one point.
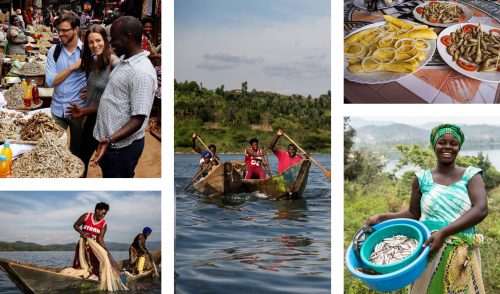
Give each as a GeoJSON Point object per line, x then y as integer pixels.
{"type": "Point", "coordinates": [493, 76]}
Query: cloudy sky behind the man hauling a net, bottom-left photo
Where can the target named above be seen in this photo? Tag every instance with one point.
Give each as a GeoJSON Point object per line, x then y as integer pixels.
{"type": "Point", "coordinates": [48, 217]}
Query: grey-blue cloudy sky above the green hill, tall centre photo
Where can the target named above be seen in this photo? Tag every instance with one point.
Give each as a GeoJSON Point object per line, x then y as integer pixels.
{"type": "Point", "coordinates": [279, 45]}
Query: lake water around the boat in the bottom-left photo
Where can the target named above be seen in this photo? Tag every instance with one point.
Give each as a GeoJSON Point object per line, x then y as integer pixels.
{"type": "Point", "coordinates": [61, 259]}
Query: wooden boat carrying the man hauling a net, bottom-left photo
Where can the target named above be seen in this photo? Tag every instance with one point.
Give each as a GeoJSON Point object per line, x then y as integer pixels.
{"type": "Point", "coordinates": [35, 279]}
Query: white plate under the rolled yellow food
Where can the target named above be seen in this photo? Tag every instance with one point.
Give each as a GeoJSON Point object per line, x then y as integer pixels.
{"type": "Point", "coordinates": [380, 77]}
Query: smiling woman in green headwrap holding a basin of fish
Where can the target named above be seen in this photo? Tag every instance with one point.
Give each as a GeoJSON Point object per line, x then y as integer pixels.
{"type": "Point", "coordinates": [450, 201]}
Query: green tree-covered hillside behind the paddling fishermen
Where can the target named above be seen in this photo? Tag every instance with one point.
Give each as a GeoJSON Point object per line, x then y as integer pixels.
{"type": "Point", "coordinates": [230, 119]}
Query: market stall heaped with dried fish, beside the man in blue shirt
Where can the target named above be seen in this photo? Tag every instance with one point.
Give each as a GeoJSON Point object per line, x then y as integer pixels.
{"type": "Point", "coordinates": [39, 146]}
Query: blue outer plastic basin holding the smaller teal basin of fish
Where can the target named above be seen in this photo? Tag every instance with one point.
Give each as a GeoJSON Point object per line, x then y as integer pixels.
{"type": "Point", "coordinates": [400, 278]}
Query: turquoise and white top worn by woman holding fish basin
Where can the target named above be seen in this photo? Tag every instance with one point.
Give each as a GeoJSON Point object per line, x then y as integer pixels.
{"type": "Point", "coordinates": [441, 205]}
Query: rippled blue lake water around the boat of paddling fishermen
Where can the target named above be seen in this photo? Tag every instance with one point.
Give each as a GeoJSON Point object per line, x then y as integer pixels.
{"type": "Point", "coordinates": [246, 244]}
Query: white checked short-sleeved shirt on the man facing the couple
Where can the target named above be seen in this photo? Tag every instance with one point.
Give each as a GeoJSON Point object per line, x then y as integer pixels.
{"type": "Point", "coordinates": [130, 92]}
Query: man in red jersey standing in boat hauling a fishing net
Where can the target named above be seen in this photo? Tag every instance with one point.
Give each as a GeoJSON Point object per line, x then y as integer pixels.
{"type": "Point", "coordinates": [94, 226]}
